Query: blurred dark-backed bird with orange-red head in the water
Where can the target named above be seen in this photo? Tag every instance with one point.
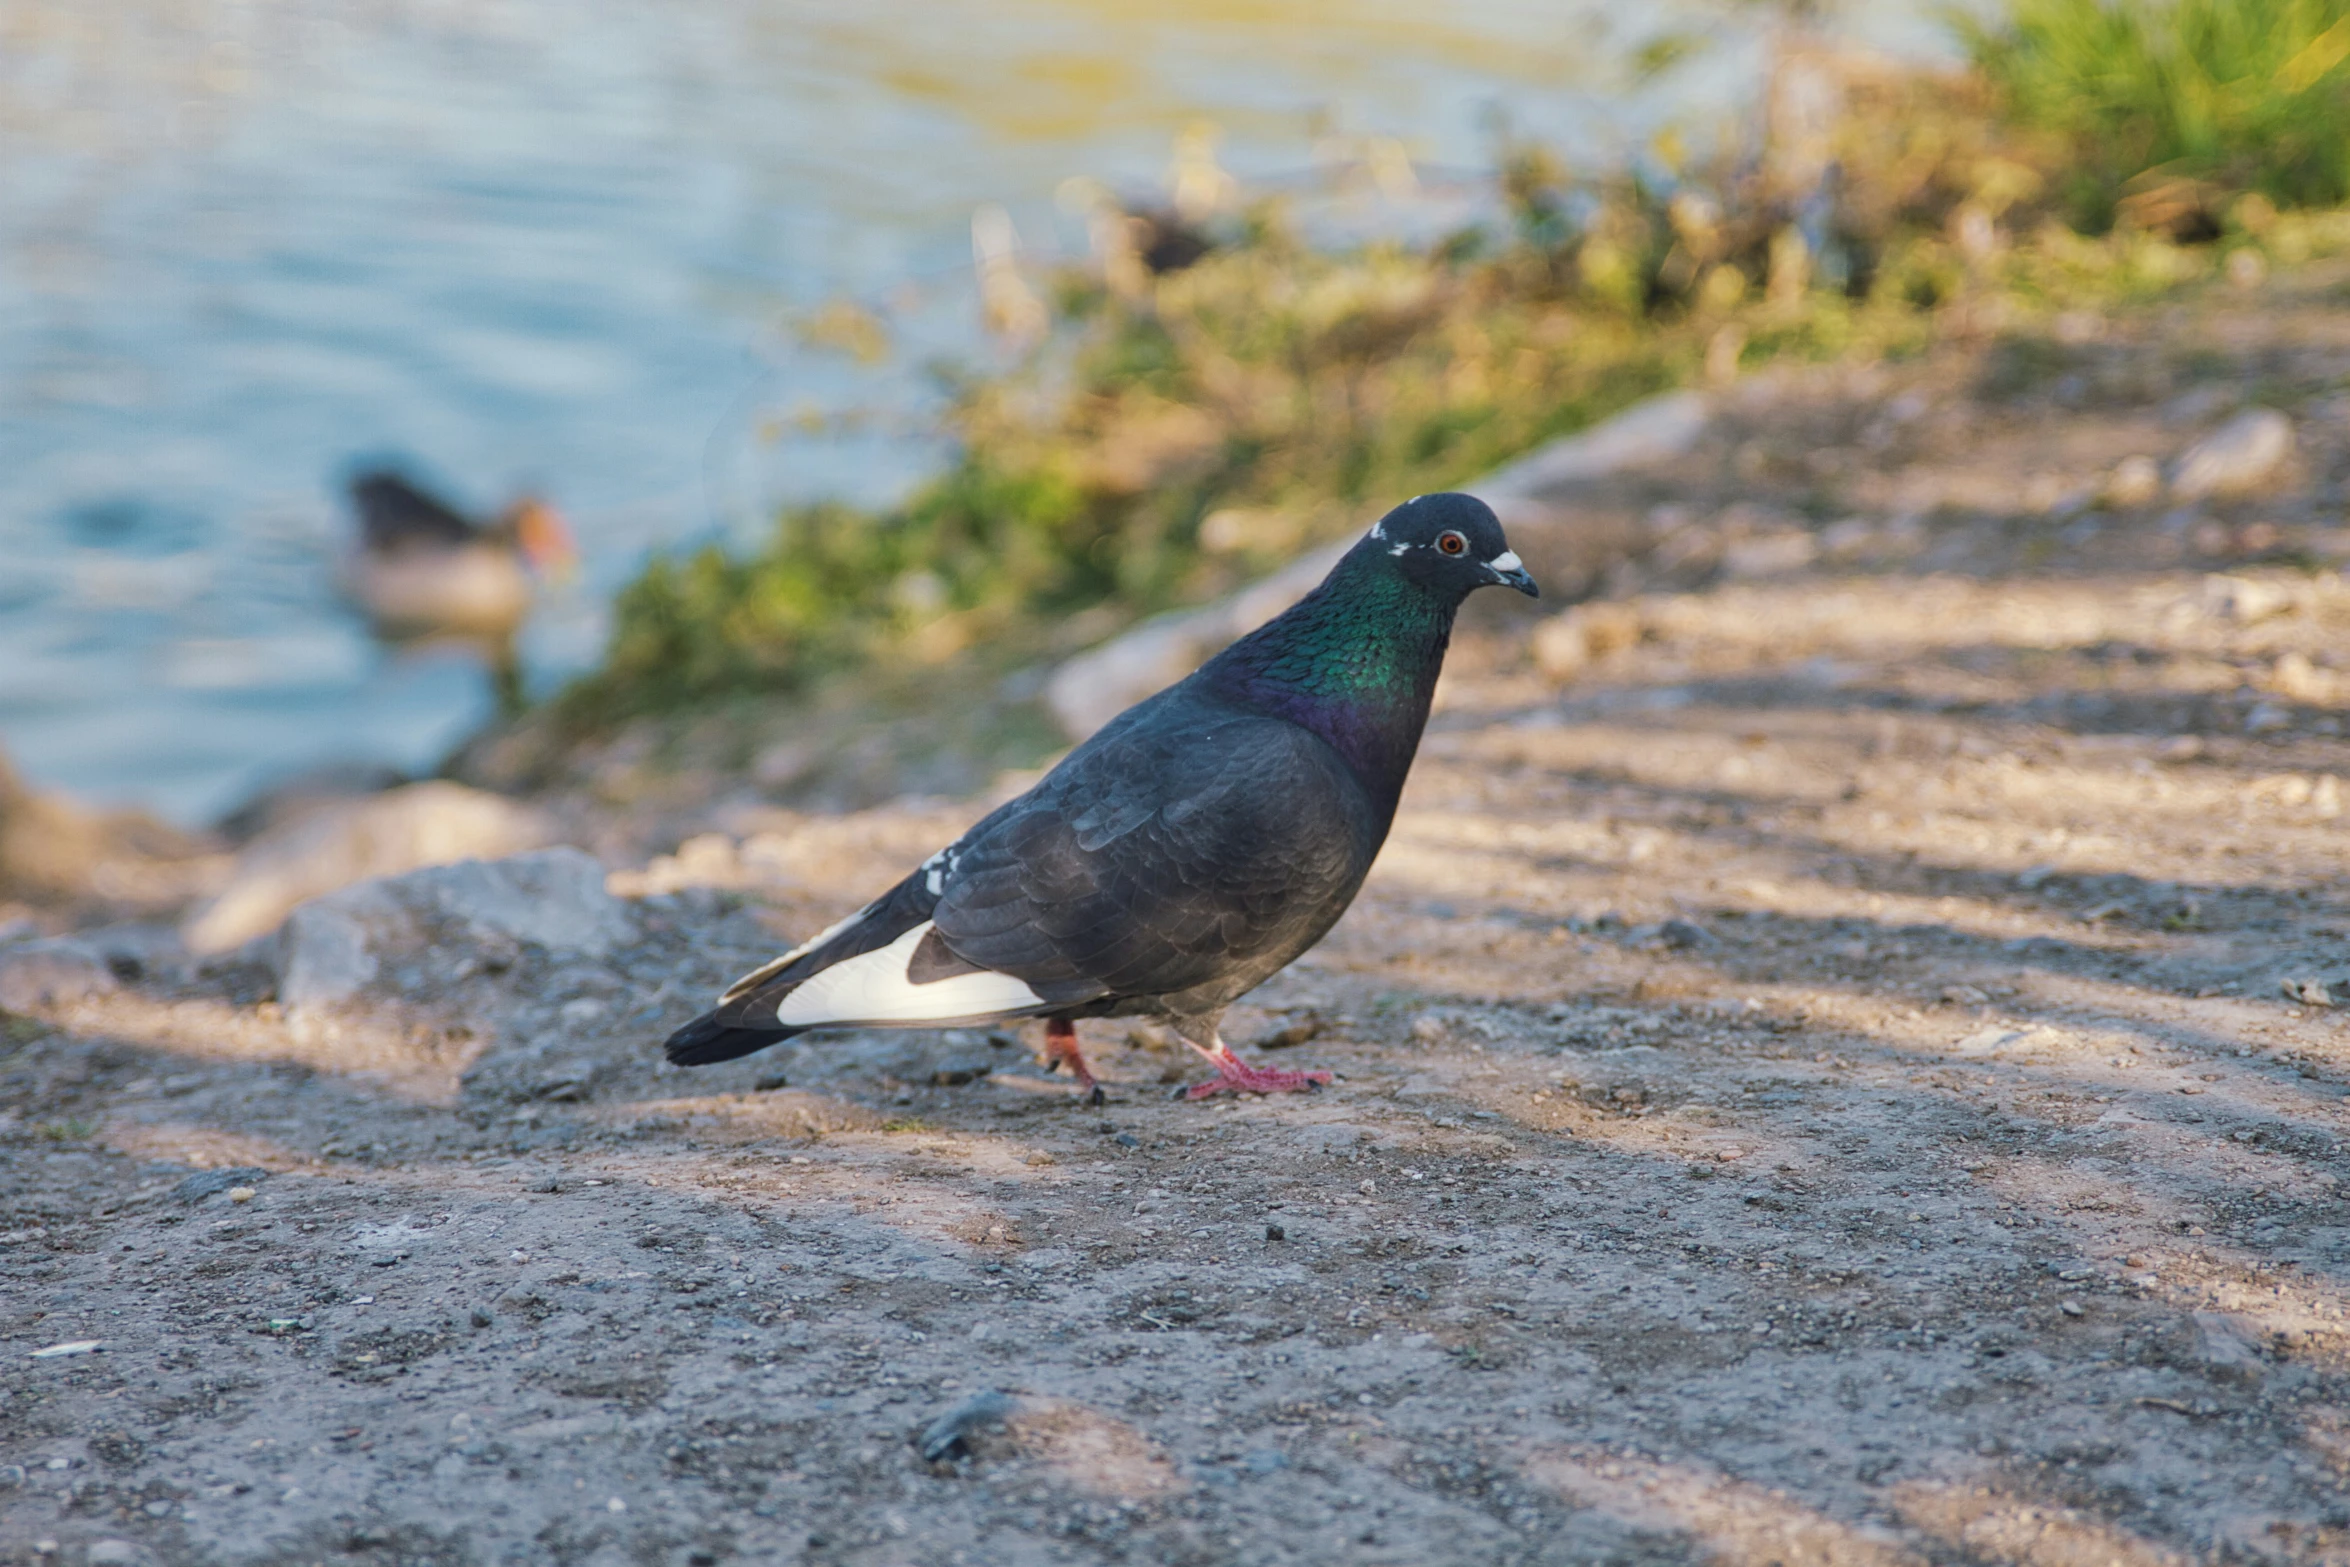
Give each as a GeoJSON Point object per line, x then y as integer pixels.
{"type": "Point", "coordinates": [424, 572]}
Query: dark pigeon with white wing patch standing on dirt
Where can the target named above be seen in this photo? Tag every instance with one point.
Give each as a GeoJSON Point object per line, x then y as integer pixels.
{"type": "Point", "coordinates": [1179, 859]}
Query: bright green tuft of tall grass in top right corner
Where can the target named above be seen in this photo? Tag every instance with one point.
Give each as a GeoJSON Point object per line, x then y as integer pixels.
{"type": "Point", "coordinates": [2238, 95]}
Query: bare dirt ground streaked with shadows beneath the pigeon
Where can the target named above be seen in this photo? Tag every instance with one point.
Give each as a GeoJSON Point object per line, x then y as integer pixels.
{"type": "Point", "coordinates": [1837, 1070]}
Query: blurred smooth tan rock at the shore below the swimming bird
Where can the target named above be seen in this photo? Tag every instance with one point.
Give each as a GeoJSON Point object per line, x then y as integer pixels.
{"type": "Point", "coordinates": [384, 835]}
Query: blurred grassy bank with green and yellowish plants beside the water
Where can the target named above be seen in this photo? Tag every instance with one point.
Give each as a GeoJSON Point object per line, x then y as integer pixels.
{"type": "Point", "coordinates": [1176, 431]}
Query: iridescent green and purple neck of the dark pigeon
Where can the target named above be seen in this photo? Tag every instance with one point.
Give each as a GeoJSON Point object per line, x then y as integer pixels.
{"type": "Point", "coordinates": [1355, 661]}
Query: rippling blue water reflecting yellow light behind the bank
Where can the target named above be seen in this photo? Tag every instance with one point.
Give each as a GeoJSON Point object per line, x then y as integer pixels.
{"type": "Point", "coordinates": [560, 243]}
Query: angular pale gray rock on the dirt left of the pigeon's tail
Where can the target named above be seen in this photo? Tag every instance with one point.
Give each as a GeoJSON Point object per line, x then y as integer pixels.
{"type": "Point", "coordinates": [337, 946]}
